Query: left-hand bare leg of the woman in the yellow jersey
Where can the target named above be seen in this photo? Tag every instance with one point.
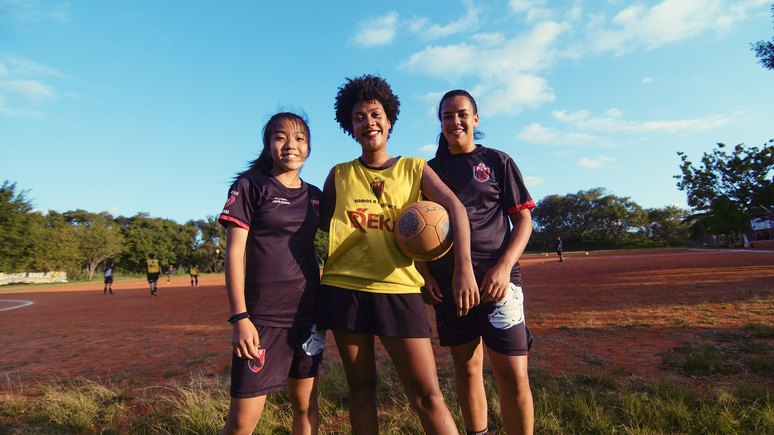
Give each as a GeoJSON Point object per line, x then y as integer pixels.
{"type": "Point", "coordinates": [357, 356]}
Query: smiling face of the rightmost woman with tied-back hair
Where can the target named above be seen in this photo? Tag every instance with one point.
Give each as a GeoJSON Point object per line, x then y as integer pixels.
{"type": "Point", "coordinates": [458, 123]}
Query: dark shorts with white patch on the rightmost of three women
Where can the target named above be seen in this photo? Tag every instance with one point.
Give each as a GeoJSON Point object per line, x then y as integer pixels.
{"type": "Point", "coordinates": [501, 325]}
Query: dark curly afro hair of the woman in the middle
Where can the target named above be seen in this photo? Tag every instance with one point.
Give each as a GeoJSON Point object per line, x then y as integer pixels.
{"type": "Point", "coordinates": [365, 88]}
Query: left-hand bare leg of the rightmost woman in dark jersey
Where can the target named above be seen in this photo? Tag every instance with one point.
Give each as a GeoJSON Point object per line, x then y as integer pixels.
{"type": "Point", "coordinates": [469, 373]}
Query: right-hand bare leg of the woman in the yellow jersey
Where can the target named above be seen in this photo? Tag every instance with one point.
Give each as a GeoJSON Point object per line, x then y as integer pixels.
{"type": "Point", "coordinates": [413, 358]}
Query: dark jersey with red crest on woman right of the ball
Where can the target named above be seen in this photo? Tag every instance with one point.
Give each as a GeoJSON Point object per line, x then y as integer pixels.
{"type": "Point", "coordinates": [489, 185]}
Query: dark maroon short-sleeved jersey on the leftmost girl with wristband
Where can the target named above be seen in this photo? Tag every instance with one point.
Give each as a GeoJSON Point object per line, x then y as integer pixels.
{"type": "Point", "coordinates": [281, 272]}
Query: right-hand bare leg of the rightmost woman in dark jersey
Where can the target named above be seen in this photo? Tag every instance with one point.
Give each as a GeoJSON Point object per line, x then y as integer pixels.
{"type": "Point", "coordinates": [516, 404]}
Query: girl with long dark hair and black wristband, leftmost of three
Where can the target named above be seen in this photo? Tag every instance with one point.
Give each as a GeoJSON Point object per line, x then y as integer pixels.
{"type": "Point", "coordinates": [272, 279]}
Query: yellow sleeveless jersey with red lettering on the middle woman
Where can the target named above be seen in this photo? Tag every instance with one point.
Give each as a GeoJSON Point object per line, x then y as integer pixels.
{"type": "Point", "coordinates": [362, 252]}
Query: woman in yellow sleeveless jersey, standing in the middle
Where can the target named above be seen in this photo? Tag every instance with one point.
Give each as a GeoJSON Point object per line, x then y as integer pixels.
{"type": "Point", "coordinates": [369, 287]}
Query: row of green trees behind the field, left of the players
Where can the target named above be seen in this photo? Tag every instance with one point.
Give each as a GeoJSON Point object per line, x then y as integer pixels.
{"type": "Point", "coordinates": [80, 242]}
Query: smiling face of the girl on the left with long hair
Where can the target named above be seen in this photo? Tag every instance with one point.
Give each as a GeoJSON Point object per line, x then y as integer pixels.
{"type": "Point", "coordinates": [289, 144]}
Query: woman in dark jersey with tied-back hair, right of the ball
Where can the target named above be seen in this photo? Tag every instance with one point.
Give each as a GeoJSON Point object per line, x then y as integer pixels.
{"type": "Point", "coordinates": [490, 186]}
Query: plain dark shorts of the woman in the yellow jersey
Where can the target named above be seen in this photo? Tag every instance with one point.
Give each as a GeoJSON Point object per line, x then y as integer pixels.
{"type": "Point", "coordinates": [387, 315]}
